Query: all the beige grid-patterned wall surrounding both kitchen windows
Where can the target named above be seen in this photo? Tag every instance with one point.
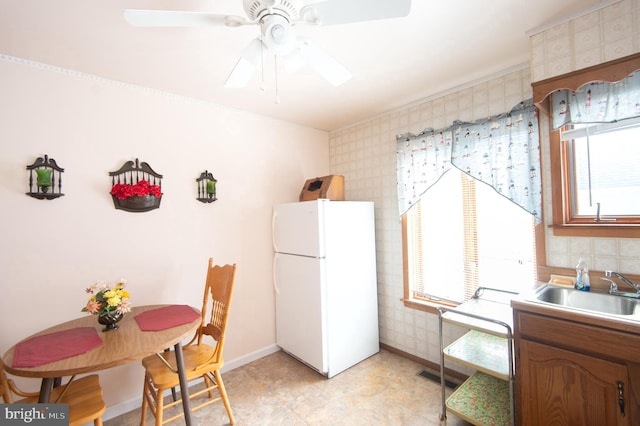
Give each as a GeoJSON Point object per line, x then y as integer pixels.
{"type": "Point", "coordinates": [365, 154]}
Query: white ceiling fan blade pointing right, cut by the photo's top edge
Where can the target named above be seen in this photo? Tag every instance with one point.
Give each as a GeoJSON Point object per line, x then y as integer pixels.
{"type": "Point", "coordinates": [334, 12]}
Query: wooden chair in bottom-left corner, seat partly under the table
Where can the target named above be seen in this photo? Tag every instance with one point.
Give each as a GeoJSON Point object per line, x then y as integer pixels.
{"type": "Point", "coordinates": [84, 397]}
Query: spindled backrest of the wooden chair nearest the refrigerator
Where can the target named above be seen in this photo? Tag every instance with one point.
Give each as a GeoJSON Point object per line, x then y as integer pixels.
{"type": "Point", "coordinates": [215, 303]}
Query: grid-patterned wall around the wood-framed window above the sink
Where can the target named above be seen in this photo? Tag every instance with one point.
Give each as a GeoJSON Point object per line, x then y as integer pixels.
{"type": "Point", "coordinates": [596, 37]}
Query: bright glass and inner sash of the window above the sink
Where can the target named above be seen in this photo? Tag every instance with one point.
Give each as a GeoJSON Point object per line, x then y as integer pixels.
{"type": "Point", "coordinates": [602, 173]}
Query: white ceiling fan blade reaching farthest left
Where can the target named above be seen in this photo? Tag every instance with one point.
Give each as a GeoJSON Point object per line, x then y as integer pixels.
{"type": "Point", "coordinates": [171, 18]}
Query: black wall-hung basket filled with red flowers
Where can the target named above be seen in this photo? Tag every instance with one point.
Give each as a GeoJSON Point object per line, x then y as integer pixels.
{"type": "Point", "coordinates": [136, 187]}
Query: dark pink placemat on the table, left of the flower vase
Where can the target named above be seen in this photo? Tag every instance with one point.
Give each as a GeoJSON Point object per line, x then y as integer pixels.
{"type": "Point", "coordinates": [52, 347]}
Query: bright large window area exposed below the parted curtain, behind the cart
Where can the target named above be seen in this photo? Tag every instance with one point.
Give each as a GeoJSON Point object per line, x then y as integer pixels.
{"type": "Point", "coordinates": [462, 234]}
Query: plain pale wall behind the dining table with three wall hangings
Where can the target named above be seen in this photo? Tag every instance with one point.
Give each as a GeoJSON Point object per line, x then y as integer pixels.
{"type": "Point", "coordinates": [53, 250]}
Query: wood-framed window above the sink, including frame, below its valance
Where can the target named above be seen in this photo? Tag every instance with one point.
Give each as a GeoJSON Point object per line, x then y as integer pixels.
{"type": "Point", "coordinates": [600, 170]}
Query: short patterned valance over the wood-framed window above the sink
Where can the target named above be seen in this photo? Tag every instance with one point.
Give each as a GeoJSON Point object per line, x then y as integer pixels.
{"type": "Point", "coordinates": [597, 102]}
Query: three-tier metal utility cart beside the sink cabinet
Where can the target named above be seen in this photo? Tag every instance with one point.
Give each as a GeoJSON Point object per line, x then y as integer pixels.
{"type": "Point", "coordinates": [487, 397]}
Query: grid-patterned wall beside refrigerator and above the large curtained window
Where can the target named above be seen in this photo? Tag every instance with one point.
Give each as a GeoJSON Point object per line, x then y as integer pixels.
{"type": "Point", "coordinates": [366, 155]}
